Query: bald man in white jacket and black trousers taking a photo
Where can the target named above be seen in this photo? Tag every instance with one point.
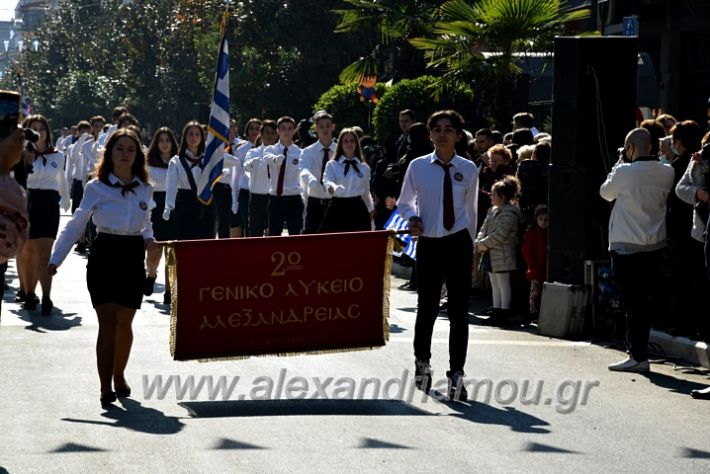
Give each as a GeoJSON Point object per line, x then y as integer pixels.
{"type": "Point", "coordinates": [640, 185]}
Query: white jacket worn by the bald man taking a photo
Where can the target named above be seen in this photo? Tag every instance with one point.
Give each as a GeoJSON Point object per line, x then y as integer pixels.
{"type": "Point", "coordinates": [640, 189]}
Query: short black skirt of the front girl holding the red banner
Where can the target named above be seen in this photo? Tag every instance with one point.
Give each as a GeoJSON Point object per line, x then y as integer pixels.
{"type": "Point", "coordinates": [115, 272]}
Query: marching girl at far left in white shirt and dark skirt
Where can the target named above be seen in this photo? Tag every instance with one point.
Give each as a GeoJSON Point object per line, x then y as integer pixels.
{"type": "Point", "coordinates": [48, 190]}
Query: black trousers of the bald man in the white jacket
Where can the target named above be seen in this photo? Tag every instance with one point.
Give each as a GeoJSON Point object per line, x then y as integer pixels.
{"type": "Point", "coordinates": [641, 278]}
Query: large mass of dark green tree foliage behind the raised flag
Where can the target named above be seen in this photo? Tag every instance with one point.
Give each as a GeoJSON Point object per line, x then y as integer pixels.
{"type": "Point", "coordinates": [158, 58]}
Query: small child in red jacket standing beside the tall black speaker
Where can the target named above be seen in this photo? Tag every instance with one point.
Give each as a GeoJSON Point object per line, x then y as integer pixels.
{"type": "Point", "coordinates": [534, 250]}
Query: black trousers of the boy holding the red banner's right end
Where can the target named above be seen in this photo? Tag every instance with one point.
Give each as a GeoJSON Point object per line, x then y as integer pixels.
{"type": "Point", "coordinates": [446, 259]}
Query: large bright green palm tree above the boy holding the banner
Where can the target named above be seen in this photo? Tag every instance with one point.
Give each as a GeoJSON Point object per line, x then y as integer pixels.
{"type": "Point", "coordinates": [480, 43]}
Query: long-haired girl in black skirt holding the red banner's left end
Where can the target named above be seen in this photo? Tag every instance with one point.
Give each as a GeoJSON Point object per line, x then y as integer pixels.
{"type": "Point", "coordinates": [119, 200]}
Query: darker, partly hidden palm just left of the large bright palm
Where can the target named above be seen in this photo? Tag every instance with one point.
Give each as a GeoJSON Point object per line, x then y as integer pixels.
{"type": "Point", "coordinates": [390, 23]}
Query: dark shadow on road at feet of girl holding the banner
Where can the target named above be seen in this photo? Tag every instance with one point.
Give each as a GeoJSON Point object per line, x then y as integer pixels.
{"type": "Point", "coordinates": [134, 416]}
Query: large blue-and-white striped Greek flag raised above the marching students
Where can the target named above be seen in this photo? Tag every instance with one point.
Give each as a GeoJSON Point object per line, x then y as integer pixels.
{"type": "Point", "coordinates": [218, 128]}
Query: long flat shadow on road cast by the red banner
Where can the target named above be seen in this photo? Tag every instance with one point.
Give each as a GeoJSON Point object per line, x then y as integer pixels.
{"type": "Point", "coordinates": [248, 408]}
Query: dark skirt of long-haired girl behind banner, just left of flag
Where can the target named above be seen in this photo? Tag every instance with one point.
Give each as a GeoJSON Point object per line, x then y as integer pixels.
{"type": "Point", "coordinates": [193, 220]}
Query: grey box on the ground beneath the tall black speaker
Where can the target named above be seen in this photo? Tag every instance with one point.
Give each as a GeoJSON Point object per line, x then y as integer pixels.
{"type": "Point", "coordinates": [563, 310]}
